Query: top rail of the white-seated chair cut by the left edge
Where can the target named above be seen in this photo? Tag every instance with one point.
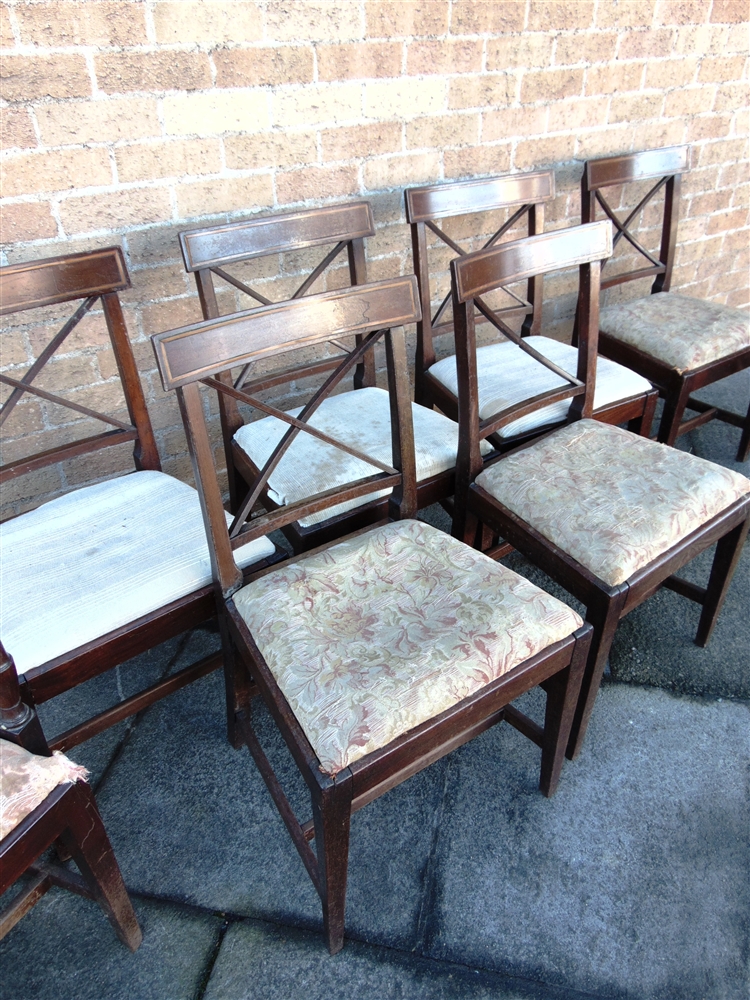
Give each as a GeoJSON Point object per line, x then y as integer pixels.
{"type": "Point", "coordinates": [60, 279]}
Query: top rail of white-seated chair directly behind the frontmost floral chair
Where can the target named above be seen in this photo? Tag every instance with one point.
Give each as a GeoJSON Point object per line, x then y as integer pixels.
{"type": "Point", "coordinates": [236, 241]}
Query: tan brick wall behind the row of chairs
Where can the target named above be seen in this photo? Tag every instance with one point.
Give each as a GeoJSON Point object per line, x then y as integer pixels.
{"type": "Point", "coordinates": [127, 121]}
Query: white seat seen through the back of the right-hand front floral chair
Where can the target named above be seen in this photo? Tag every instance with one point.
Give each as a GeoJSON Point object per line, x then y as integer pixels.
{"type": "Point", "coordinates": [506, 375]}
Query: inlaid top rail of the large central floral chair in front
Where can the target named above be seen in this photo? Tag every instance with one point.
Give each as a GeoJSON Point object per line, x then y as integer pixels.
{"type": "Point", "coordinates": [194, 352]}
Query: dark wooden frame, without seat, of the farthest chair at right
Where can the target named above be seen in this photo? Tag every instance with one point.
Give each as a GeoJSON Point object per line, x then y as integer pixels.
{"type": "Point", "coordinates": [666, 167]}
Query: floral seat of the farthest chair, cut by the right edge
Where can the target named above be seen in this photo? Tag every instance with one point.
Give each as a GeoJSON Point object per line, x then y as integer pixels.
{"type": "Point", "coordinates": [682, 332]}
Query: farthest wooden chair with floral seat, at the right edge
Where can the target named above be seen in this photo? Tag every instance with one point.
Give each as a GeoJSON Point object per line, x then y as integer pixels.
{"type": "Point", "coordinates": [678, 342]}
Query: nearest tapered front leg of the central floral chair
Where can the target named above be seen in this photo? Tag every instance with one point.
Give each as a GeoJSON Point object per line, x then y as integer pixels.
{"type": "Point", "coordinates": [332, 816]}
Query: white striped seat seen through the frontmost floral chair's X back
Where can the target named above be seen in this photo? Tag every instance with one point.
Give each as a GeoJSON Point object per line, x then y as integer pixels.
{"type": "Point", "coordinates": [361, 419]}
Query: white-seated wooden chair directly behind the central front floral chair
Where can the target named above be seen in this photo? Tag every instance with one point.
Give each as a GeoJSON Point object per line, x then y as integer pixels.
{"type": "Point", "coordinates": [363, 415]}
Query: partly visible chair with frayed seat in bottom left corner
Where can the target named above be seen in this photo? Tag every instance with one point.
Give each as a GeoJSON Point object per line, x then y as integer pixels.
{"type": "Point", "coordinates": [46, 801]}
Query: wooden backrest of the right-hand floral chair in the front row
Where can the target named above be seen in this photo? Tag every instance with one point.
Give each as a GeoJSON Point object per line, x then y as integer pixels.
{"type": "Point", "coordinates": [476, 274]}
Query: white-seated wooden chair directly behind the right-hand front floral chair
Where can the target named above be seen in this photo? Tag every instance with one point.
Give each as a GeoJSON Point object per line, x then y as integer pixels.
{"type": "Point", "coordinates": [506, 375]}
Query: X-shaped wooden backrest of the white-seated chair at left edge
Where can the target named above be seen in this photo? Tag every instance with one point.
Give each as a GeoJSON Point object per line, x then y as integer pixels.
{"type": "Point", "coordinates": [91, 277]}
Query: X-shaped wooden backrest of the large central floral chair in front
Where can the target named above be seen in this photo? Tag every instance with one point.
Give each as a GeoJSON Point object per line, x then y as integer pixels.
{"type": "Point", "coordinates": [199, 353]}
